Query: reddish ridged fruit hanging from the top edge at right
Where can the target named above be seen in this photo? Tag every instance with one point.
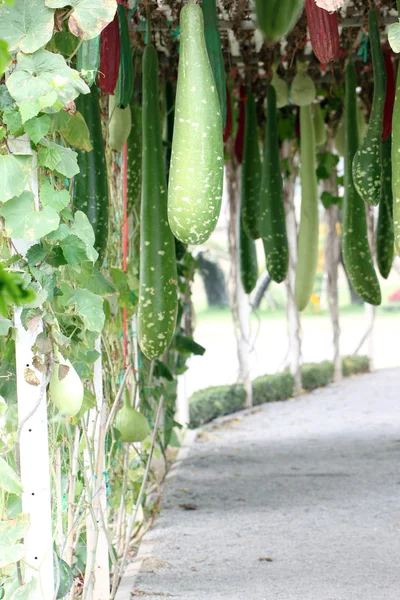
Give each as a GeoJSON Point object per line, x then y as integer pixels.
{"type": "Point", "coordinates": [324, 32]}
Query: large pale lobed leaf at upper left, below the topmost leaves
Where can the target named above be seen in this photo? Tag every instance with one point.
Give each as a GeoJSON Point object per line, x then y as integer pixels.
{"type": "Point", "coordinates": [39, 74]}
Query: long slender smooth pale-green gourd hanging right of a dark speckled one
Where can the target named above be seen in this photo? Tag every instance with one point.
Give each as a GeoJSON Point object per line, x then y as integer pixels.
{"type": "Point", "coordinates": [307, 252]}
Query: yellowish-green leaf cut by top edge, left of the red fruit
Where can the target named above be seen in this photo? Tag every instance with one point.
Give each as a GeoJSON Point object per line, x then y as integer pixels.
{"type": "Point", "coordinates": [89, 17]}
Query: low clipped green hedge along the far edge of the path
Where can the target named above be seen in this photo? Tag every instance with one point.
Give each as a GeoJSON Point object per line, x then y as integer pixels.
{"type": "Point", "coordinates": [214, 402]}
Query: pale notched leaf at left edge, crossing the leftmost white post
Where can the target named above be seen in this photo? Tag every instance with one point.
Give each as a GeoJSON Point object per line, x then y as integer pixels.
{"type": "Point", "coordinates": [23, 221]}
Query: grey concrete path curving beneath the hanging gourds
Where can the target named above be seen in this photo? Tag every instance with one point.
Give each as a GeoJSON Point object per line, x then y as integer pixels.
{"type": "Point", "coordinates": [299, 500]}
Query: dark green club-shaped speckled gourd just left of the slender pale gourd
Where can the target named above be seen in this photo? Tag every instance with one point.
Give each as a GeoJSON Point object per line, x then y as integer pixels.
{"type": "Point", "coordinates": [272, 210]}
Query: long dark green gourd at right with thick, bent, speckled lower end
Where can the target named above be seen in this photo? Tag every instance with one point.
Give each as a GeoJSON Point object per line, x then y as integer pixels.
{"type": "Point", "coordinates": [355, 247]}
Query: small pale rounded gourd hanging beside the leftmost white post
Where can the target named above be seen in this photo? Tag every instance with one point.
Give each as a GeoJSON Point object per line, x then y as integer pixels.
{"type": "Point", "coordinates": [66, 388]}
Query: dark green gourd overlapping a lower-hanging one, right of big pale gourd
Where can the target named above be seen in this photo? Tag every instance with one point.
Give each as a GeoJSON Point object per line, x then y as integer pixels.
{"type": "Point", "coordinates": [251, 172]}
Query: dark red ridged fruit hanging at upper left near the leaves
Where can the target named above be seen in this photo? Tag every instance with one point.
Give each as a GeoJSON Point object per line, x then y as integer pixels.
{"type": "Point", "coordinates": [110, 53]}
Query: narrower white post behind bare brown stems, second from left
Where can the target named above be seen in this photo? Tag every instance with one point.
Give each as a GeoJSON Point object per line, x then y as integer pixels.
{"type": "Point", "coordinates": [96, 535]}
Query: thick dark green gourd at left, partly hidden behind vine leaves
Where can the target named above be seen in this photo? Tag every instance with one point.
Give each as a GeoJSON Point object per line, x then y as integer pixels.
{"type": "Point", "coordinates": [90, 188]}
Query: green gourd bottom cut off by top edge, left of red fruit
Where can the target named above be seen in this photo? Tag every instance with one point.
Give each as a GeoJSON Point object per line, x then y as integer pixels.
{"type": "Point", "coordinates": [276, 18]}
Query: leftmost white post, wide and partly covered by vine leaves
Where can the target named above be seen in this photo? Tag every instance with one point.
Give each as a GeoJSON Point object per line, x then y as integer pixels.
{"type": "Point", "coordinates": [33, 437]}
